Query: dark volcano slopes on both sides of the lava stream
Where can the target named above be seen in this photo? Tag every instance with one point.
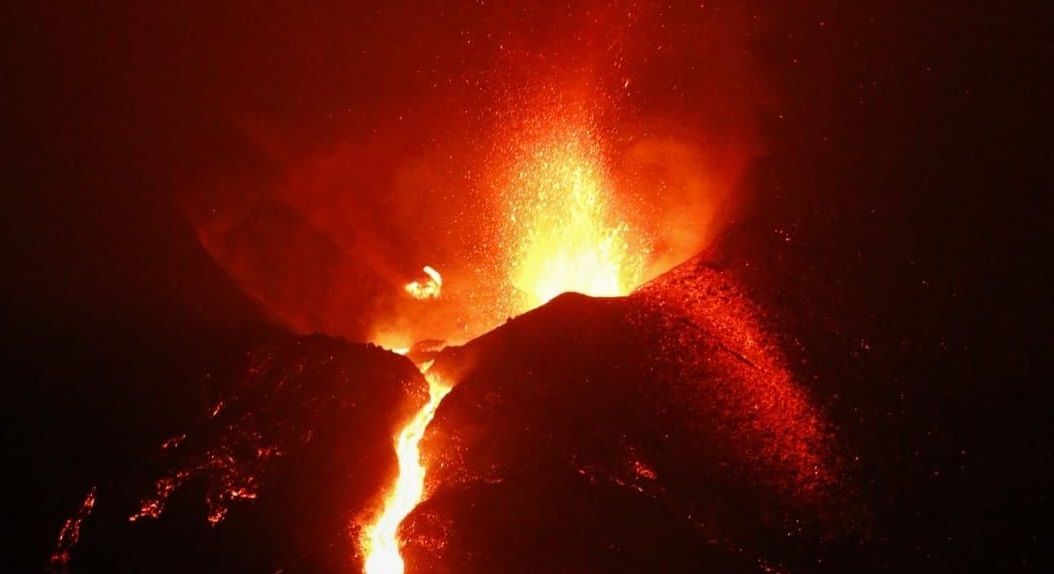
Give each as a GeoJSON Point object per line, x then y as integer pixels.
{"type": "Point", "coordinates": [657, 432]}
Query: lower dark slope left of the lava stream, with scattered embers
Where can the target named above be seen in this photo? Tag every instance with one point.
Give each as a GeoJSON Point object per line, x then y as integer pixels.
{"type": "Point", "coordinates": [276, 477]}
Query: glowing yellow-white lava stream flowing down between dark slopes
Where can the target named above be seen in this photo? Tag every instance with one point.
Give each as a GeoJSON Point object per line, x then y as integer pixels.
{"type": "Point", "coordinates": [381, 542]}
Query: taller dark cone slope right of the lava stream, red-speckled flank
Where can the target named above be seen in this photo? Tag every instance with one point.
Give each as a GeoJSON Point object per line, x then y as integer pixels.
{"type": "Point", "coordinates": [658, 432]}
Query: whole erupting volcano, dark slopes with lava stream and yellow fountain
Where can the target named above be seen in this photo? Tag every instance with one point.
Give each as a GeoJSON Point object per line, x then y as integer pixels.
{"type": "Point", "coordinates": [668, 402]}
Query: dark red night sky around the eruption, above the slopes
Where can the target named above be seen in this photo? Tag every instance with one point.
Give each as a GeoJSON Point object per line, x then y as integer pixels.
{"type": "Point", "coordinates": [886, 173]}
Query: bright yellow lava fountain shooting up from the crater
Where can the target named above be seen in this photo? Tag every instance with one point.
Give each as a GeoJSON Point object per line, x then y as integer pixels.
{"type": "Point", "coordinates": [563, 231]}
